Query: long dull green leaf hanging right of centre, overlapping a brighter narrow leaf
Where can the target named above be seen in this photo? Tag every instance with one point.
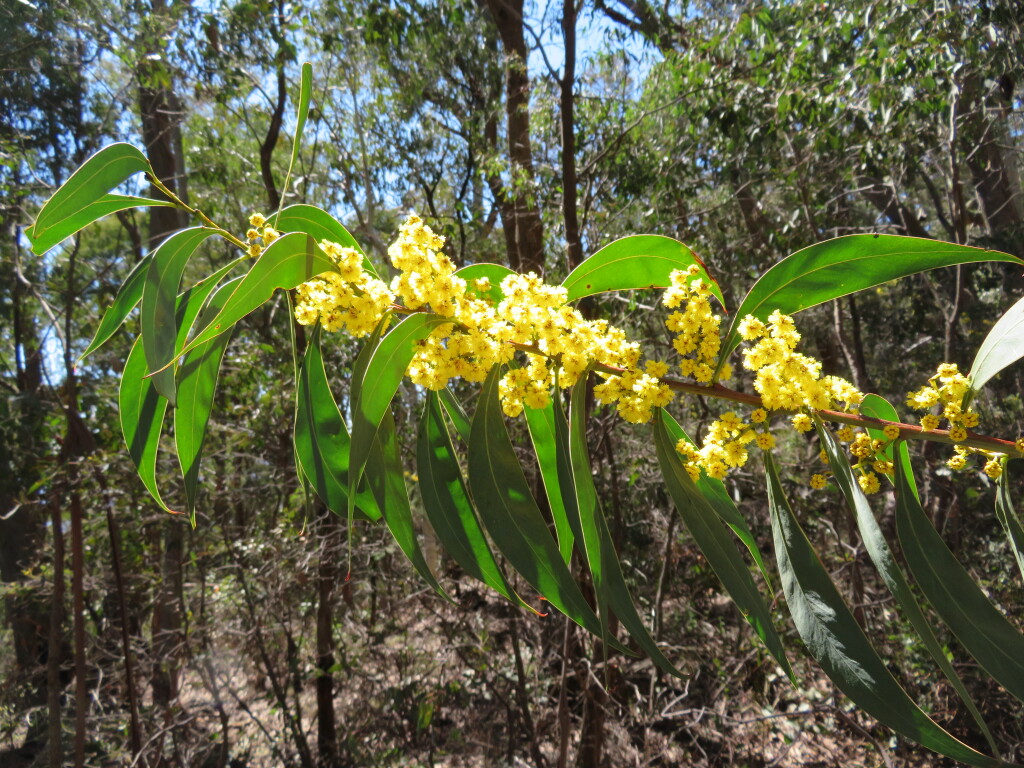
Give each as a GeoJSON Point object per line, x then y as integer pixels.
{"type": "Point", "coordinates": [716, 544]}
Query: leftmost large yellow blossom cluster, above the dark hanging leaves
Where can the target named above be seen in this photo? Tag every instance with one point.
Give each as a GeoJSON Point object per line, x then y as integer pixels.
{"type": "Point", "coordinates": [350, 300]}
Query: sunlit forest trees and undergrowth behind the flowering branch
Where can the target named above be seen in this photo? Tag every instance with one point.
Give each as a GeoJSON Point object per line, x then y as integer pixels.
{"type": "Point", "coordinates": [745, 131]}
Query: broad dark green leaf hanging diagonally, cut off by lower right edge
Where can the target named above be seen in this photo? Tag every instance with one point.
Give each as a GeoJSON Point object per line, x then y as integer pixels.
{"type": "Point", "coordinates": [987, 634]}
